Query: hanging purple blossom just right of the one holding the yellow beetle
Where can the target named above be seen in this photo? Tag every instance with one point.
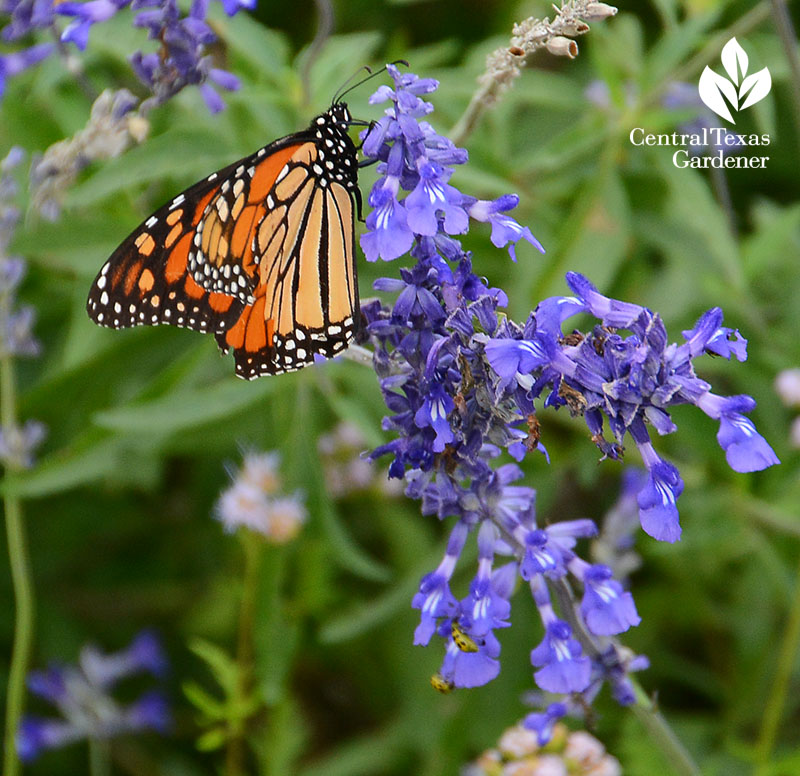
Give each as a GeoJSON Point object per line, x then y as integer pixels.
{"type": "Point", "coordinates": [564, 666]}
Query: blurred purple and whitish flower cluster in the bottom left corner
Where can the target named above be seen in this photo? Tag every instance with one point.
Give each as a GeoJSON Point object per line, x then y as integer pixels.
{"type": "Point", "coordinates": [82, 694]}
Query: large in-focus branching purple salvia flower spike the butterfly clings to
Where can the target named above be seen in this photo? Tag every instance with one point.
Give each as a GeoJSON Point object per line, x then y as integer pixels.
{"type": "Point", "coordinates": [460, 380]}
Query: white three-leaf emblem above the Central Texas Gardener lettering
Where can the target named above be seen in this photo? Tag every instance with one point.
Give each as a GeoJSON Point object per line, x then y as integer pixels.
{"type": "Point", "coordinates": [740, 91]}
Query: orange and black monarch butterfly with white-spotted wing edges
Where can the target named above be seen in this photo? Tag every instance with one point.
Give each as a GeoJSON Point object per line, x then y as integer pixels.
{"type": "Point", "coordinates": [261, 253]}
